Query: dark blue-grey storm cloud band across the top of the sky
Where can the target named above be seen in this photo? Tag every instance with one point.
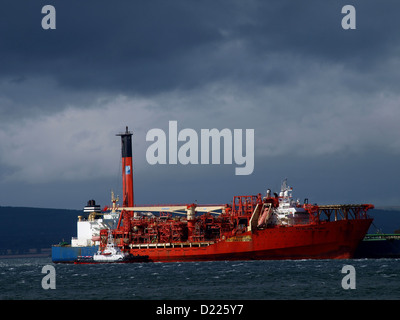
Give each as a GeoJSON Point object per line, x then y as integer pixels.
{"type": "Point", "coordinates": [144, 47]}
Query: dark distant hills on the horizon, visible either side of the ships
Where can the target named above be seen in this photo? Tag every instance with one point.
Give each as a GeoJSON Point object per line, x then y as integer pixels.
{"type": "Point", "coordinates": [22, 228]}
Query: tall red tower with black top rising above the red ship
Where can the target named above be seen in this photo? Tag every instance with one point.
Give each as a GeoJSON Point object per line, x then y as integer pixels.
{"type": "Point", "coordinates": [127, 169]}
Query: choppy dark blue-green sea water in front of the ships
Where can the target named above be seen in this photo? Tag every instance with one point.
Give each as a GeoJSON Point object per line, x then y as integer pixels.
{"type": "Point", "coordinates": [25, 279]}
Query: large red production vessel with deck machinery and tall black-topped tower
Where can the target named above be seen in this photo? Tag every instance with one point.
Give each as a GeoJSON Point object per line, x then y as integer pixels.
{"type": "Point", "coordinates": [252, 227]}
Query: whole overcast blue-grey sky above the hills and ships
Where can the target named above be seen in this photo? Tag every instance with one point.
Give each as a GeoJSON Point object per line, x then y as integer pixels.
{"type": "Point", "coordinates": [324, 102]}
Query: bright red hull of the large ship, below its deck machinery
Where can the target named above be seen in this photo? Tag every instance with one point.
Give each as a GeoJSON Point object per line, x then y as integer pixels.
{"type": "Point", "coordinates": [323, 240]}
